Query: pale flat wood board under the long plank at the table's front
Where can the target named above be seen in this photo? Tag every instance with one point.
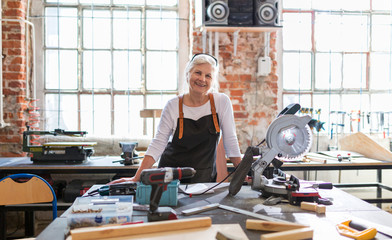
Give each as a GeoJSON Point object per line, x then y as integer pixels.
{"type": "Point", "coordinates": [234, 230]}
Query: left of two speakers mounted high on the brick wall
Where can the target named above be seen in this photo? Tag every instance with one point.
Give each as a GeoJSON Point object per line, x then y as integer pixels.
{"type": "Point", "coordinates": [211, 12]}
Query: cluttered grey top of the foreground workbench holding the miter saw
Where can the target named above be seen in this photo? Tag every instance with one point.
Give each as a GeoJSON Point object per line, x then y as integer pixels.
{"type": "Point", "coordinates": [345, 206]}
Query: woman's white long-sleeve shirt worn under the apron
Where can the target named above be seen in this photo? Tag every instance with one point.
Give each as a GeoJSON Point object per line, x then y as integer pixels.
{"type": "Point", "coordinates": [168, 124]}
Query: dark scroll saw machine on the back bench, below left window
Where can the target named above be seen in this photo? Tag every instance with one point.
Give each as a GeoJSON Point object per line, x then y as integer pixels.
{"type": "Point", "coordinates": [58, 152]}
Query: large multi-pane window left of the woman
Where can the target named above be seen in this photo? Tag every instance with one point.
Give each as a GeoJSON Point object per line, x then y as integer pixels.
{"type": "Point", "coordinates": [104, 61]}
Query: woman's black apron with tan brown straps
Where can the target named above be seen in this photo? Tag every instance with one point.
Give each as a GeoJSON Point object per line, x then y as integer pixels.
{"type": "Point", "coordinates": [194, 145]}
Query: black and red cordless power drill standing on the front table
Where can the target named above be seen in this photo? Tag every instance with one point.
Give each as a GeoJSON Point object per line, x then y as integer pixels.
{"type": "Point", "coordinates": [159, 179]}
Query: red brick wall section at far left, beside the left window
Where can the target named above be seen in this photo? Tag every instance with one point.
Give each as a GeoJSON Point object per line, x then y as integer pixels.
{"type": "Point", "coordinates": [14, 78]}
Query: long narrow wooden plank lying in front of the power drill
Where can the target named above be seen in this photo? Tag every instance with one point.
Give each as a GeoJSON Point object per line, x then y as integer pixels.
{"type": "Point", "coordinates": [143, 228]}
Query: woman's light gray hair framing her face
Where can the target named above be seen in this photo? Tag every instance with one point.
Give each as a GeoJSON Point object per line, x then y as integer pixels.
{"type": "Point", "coordinates": [201, 59]}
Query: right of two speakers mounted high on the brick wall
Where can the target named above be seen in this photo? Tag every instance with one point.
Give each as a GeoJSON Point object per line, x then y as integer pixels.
{"type": "Point", "coordinates": [266, 13]}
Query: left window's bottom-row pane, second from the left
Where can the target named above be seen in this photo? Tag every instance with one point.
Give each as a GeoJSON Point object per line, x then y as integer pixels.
{"type": "Point", "coordinates": [95, 114]}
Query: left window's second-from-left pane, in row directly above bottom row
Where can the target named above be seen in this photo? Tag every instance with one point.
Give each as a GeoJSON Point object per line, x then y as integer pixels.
{"type": "Point", "coordinates": [96, 69]}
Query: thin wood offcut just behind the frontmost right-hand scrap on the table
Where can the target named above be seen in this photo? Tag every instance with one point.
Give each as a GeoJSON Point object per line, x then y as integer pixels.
{"type": "Point", "coordinates": [271, 226]}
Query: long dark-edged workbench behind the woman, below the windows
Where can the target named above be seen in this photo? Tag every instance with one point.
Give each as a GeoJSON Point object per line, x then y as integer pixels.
{"type": "Point", "coordinates": [104, 164]}
